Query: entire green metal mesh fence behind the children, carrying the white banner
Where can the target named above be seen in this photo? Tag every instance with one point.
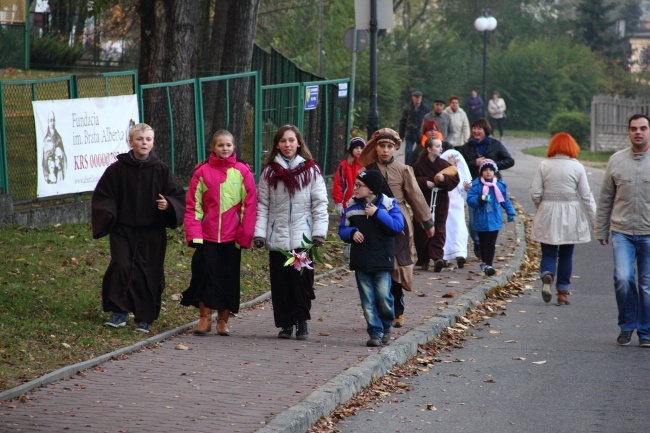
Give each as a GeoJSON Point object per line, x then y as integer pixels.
{"type": "Point", "coordinates": [184, 115]}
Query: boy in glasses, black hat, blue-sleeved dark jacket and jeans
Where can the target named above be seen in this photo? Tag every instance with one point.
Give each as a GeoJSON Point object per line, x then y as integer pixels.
{"type": "Point", "coordinates": [369, 224]}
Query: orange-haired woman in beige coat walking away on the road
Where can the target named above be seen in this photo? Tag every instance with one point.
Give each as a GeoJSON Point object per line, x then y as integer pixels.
{"type": "Point", "coordinates": [565, 213]}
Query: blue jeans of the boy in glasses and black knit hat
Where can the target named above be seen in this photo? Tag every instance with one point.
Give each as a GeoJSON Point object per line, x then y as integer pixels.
{"type": "Point", "coordinates": [376, 300]}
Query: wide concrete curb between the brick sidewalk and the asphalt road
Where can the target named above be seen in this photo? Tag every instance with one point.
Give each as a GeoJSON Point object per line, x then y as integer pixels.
{"type": "Point", "coordinates": [300, 417]}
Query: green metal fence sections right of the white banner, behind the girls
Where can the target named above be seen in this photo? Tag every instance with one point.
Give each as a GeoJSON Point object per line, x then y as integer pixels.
{"type": "Point", "coordinates": [201, 106]}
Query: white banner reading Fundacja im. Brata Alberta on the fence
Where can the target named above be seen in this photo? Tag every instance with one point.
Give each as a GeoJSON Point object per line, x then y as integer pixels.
{"type": "Point", "coordinates": [76, 139]}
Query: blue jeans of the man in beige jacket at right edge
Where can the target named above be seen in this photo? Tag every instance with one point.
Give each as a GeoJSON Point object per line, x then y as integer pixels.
{"type": "Point", "coordinates": [633, 300]}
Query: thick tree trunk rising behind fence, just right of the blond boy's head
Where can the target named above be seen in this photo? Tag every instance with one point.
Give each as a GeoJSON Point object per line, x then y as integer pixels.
{"type": "Point", "coordinates": [168, 53]}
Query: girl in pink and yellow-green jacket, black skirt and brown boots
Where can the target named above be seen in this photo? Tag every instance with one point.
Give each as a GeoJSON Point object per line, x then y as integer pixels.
{"type": "Point", "coordinates": [220, 214]}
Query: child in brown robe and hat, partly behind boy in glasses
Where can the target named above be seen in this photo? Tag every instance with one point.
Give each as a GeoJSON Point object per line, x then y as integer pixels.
{"type": "Point", "coordinates": [400, 184]}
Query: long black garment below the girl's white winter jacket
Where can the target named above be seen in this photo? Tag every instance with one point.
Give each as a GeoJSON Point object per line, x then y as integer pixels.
{"type": "Point", "coordinates": [291, 291]}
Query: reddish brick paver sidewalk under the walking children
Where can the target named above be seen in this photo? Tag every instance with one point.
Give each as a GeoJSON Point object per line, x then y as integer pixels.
{"type": "Point", "coordinates": [237, 383]}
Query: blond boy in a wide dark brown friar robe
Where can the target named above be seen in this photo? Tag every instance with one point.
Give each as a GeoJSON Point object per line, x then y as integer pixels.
{"type": "Point", "coordinates": [135, 200]}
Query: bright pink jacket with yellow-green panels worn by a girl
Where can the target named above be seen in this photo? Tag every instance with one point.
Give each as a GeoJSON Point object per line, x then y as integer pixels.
{"type": "Point", "coordinates": [221, 204]}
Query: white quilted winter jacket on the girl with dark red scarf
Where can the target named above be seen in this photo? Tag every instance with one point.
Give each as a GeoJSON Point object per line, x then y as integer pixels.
{"type": "Point", "coordinates": [283, 220]}
